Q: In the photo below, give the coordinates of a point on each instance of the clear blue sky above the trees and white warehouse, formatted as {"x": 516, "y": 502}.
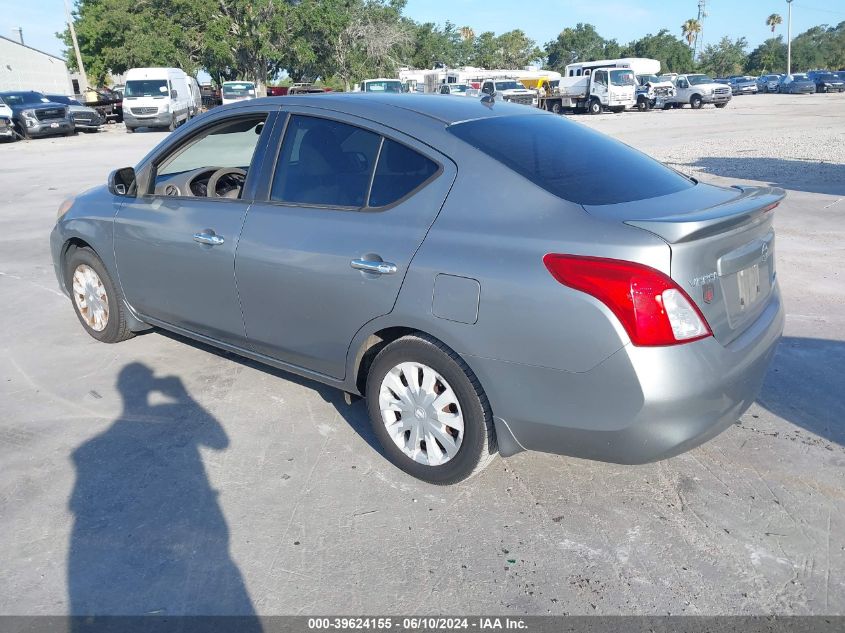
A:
{"x": 541, "y": 19}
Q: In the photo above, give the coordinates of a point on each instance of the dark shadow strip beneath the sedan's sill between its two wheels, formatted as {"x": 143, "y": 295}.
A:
{"x": 355, "y": 414}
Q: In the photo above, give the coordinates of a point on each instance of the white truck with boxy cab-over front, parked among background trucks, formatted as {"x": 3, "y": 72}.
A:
{"x": 611, "y": 88}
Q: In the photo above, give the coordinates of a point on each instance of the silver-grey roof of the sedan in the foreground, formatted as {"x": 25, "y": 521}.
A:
{"x": 394, "y": 107}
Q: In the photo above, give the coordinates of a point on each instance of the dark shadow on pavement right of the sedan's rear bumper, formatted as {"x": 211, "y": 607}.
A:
{"x": 804, "y": 386}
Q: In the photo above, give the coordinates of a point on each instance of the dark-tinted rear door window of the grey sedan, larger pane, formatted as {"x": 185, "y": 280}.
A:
{"x": 325, "y": 162}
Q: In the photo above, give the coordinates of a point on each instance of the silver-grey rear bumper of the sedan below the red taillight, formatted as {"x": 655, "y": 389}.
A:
{"x": 640, "y": 405}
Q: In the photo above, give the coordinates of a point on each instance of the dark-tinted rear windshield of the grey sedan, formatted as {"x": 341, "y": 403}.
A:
{"x": 570, "y": 160}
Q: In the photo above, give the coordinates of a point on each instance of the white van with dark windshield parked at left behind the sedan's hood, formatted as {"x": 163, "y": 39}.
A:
{"x": 156, "y": 97}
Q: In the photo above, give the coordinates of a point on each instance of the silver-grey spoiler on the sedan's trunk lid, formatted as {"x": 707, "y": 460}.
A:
{"x": 752, "y": 203}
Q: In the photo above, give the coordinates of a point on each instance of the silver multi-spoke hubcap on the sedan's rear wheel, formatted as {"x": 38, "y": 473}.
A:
{"x": 421, "y": 413}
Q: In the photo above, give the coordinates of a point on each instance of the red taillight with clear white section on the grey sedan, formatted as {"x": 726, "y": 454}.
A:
{"x": 653, "y": 309}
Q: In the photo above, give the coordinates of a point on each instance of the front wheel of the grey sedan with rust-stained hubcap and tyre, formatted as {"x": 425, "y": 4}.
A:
{"x": 96, "y": 299}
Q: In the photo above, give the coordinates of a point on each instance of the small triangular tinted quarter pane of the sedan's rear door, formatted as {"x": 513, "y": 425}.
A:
{"x": 400, "y": 171}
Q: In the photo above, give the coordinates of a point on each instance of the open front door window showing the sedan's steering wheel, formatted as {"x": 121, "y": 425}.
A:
{"x": 220, "y": 156}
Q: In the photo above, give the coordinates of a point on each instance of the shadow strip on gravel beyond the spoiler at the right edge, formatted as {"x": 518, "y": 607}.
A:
{"x": 798, "y": 175}
